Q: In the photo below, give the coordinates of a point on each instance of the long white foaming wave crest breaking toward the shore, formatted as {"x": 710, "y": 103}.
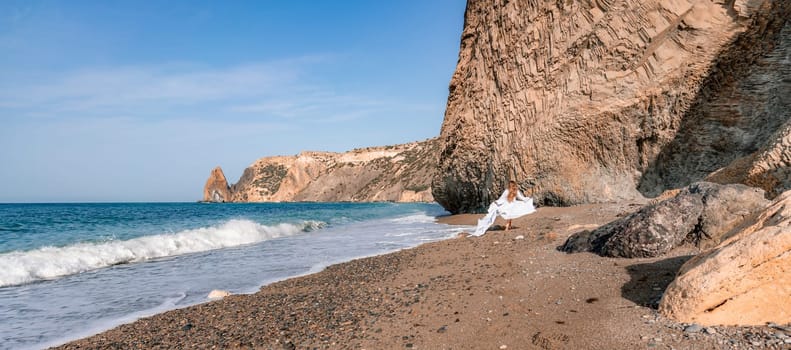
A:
{"x": 52, "y": 262}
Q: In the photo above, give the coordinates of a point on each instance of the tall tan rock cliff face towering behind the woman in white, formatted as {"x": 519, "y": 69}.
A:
{"x": 596, "y": 101}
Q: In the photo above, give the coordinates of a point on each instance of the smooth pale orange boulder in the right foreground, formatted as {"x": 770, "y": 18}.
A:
{"x": 745, "y": 280}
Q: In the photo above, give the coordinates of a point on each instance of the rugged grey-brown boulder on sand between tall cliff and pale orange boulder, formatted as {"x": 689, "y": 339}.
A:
{"x": 701, "y": 213}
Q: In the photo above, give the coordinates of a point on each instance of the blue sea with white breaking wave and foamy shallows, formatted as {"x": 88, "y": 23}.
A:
{"x": 72, "y": 270}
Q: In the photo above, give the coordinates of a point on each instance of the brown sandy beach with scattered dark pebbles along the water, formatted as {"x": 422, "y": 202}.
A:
{"x": 504, "y": 290}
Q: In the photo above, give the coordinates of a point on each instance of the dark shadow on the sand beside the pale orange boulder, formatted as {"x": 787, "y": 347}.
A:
{"x": 648, "y": 281}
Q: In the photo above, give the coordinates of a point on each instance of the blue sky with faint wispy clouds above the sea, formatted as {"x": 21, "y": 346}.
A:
{"x": 139, "y": 100}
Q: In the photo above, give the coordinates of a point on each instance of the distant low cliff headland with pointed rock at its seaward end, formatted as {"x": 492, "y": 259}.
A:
{"x": 400, "y": 173}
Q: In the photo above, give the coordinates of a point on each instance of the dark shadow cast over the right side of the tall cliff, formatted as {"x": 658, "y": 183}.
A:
{"x": 718, "y": 128}
